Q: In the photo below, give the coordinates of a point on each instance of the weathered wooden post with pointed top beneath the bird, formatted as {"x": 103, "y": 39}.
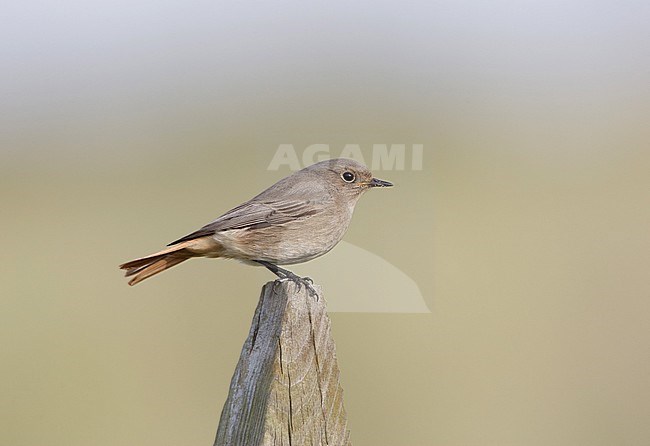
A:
{"x": 285, "y": 389}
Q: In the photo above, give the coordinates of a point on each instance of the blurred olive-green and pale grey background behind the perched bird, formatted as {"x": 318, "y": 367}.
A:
{"x": 126, "y": 125}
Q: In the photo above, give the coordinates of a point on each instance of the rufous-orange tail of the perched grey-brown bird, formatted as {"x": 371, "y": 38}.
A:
{"x": 148, "y": 266}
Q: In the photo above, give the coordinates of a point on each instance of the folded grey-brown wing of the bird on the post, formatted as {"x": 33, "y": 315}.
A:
{"x": 256, "y": 215}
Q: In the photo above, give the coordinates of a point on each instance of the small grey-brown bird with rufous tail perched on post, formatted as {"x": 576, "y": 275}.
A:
{"x": 299, "y": 218}
